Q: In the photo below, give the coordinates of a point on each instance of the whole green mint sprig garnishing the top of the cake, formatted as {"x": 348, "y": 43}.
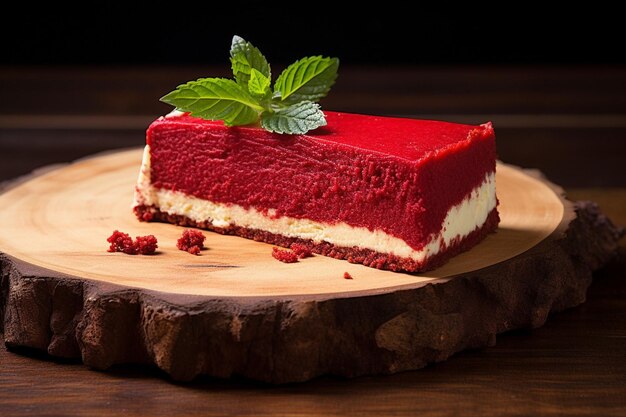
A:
{"x": 290, "y": 107}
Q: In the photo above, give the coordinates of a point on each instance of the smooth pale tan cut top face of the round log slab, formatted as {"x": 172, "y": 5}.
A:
{"x": 60, "y": 221}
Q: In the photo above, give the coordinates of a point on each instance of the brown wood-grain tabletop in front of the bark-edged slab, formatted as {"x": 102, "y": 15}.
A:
{"x": 571, "y": 366}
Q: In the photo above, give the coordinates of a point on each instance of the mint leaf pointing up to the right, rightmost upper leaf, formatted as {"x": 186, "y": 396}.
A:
{"x": 309, "y": 78}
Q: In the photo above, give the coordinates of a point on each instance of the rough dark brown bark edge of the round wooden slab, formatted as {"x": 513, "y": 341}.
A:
{"x": 297, "y": 338}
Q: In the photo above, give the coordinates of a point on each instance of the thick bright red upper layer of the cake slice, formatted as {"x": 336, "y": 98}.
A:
{"x": 396, "y": 175}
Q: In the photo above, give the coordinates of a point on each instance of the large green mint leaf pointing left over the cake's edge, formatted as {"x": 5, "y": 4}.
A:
{"x": 215, "y": 99}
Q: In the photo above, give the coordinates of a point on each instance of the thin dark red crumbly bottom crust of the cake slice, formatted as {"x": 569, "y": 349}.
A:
{"x": 353, "y": 254}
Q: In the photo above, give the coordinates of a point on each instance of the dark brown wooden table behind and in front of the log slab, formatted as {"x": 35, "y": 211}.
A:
{"x": 574, "y": 365}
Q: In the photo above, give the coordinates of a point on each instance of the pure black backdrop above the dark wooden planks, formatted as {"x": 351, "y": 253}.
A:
{"x": 183, "y": 33}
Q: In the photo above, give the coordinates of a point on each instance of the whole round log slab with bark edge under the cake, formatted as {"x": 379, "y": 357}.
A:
{"x": 235, "y": 310}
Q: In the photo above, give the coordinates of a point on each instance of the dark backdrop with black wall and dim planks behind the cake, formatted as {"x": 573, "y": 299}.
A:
{"x": 78, "y": 80}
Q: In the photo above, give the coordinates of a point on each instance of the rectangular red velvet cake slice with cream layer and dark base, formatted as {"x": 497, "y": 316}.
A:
{"x": 390, "y": 193}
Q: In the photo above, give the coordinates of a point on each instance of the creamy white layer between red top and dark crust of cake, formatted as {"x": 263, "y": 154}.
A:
{"x": 460, "y": 221}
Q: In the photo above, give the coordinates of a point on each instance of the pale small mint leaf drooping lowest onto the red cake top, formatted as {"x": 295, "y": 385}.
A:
{"x": 298, "y": 118}
